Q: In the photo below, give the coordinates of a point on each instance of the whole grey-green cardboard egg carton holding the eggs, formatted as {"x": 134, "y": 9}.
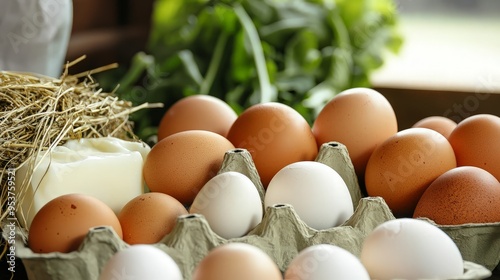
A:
{"x": 281, "y": 234}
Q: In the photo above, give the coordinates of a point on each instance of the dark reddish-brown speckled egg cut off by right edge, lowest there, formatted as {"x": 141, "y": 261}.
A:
{"x": 465, "y": 194}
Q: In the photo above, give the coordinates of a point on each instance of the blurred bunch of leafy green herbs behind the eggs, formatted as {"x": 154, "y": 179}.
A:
{"x": 298, "y": 52}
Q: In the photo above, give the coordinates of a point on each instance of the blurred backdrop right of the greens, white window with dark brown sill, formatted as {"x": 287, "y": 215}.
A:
{"x": 449, "y": 60}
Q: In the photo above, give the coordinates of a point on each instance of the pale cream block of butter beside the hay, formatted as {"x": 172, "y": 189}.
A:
{"x": 108, "y": 168}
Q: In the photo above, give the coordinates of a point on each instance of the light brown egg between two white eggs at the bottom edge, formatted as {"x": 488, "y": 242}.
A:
{"x": 240, "y": 261}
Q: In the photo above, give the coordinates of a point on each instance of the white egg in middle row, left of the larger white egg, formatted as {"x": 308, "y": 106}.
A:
{"x": 230, "y": 203}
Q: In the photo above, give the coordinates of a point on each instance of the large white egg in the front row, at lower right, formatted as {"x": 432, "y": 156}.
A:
{"x": 410, "y": 249}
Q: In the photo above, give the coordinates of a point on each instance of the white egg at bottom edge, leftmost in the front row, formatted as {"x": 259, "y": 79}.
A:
{"x": 142, "y": 261}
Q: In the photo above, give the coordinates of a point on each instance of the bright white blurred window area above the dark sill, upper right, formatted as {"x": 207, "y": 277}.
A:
{"x": 449, "y": 44}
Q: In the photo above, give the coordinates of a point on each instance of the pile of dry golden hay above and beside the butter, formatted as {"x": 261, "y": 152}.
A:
{"x": 38, "y": 113}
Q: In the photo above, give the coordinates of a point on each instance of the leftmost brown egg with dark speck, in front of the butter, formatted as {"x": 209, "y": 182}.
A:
{"x": 62, "y": 224}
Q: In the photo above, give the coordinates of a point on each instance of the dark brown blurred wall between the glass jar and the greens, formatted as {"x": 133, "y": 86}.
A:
{"x": 108, "y": 31}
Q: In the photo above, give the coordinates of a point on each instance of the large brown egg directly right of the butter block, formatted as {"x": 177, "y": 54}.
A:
{"x": 180, "y": 164}
